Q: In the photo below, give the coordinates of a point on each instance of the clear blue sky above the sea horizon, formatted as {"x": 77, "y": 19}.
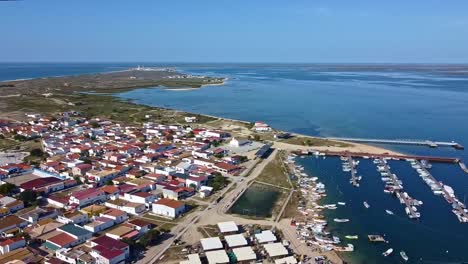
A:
{"x": 234, "y": 31}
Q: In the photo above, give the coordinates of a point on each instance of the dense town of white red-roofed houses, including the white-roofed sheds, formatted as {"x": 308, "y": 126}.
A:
{"x": 95, "y": 191}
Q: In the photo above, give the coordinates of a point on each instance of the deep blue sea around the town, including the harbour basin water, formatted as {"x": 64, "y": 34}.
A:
{"x": 383, "y": 102}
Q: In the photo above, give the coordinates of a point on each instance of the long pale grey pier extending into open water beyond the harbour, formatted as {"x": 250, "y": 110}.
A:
{"x": 414, "y": 142}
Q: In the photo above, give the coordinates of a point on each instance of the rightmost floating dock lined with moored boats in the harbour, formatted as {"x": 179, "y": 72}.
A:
{"x": 438, "y": 188}
